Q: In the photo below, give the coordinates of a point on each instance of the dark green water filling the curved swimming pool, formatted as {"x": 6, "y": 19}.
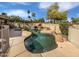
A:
{"x": 40, "y": 42}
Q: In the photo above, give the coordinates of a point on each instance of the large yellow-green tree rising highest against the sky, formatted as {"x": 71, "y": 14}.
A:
{"x": 54, "y": 14}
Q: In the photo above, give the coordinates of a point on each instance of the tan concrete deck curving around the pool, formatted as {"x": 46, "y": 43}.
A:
{"x": 17, "y": 48}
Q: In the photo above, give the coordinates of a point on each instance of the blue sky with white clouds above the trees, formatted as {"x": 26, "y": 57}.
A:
{"x": 40, "y": 8}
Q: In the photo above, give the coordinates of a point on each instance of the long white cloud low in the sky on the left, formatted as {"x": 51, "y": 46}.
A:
{"x": 18, "y": 12}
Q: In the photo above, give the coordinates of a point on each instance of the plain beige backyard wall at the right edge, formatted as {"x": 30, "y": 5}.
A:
{"x": 74, "y": 35}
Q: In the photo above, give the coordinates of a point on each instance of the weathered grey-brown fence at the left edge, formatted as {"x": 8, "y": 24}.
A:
{"x": 4, "y": 38}
